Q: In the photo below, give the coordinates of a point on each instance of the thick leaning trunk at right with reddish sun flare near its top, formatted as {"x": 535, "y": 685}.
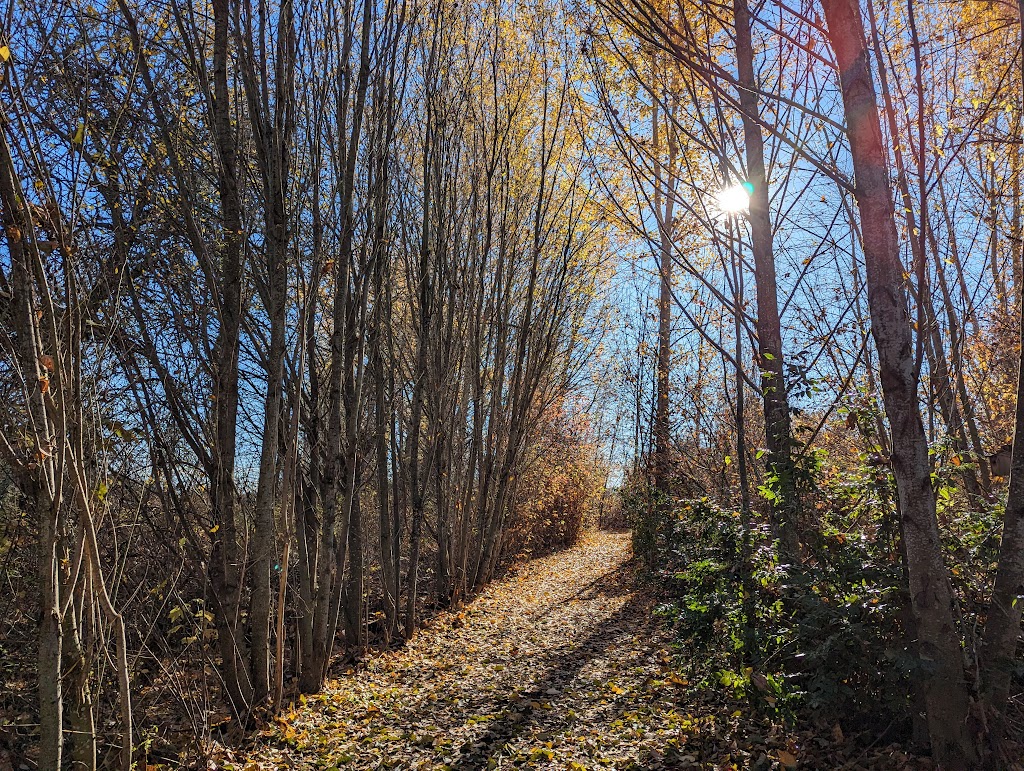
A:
{"x": 946, "y": 690}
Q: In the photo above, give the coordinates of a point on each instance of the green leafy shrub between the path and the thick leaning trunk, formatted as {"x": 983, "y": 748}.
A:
{"x": 825, "y": 636}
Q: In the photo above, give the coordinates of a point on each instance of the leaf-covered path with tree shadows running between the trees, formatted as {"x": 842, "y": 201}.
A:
{"x": 562, "y": 665}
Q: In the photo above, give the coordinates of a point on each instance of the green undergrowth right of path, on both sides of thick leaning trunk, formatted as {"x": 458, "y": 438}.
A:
{"x": 826, "y": 639}
